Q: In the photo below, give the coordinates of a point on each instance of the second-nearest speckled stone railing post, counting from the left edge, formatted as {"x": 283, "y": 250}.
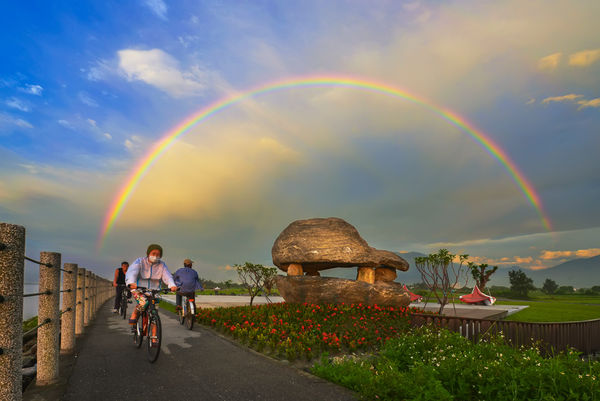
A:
{"x": 47, "y": 342}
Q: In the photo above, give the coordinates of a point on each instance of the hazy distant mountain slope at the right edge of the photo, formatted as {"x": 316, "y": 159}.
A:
{"x": 580, "y": 273}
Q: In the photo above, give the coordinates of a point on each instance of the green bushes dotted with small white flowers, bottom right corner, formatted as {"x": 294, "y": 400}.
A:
{"x": 437, "y": 365}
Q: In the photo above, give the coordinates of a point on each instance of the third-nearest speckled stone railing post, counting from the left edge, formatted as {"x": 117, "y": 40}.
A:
{"x": 67, "y": 320}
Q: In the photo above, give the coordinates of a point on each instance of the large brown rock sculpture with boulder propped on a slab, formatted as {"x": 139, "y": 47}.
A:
{"x": 307, "y": 247}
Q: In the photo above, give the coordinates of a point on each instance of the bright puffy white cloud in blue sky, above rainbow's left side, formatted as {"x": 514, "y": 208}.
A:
{"x": 161, "y": 70}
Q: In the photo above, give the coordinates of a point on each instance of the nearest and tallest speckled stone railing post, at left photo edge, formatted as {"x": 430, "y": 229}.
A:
{"x": 12, "y": 252}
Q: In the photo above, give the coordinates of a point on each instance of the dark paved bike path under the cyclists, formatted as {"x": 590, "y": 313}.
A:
{"x": 193, "y": 365}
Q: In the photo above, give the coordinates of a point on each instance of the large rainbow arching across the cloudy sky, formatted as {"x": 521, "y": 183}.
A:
{"x": 163, "y": 144}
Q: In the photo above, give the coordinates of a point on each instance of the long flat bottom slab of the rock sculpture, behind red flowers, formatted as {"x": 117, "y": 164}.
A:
{"x": 331, "y": 290}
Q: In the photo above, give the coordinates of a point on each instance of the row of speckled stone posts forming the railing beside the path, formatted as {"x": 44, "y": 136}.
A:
{"x": 83, "y": 294}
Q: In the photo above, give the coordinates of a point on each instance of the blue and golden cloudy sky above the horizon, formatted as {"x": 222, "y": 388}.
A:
{"x": 88, "y": 88}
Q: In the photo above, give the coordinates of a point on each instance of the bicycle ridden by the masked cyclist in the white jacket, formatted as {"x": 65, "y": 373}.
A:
{"x": 145, "y": 324}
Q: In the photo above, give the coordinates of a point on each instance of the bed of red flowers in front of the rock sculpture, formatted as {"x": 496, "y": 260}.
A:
{"x": 297, "y": 330}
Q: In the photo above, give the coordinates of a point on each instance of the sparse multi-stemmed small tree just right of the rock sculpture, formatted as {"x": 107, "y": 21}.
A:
{"x": 440, "y": 274}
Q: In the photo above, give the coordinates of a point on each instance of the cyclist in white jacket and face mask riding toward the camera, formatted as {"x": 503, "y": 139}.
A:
{"x": 147, "y": 272}
